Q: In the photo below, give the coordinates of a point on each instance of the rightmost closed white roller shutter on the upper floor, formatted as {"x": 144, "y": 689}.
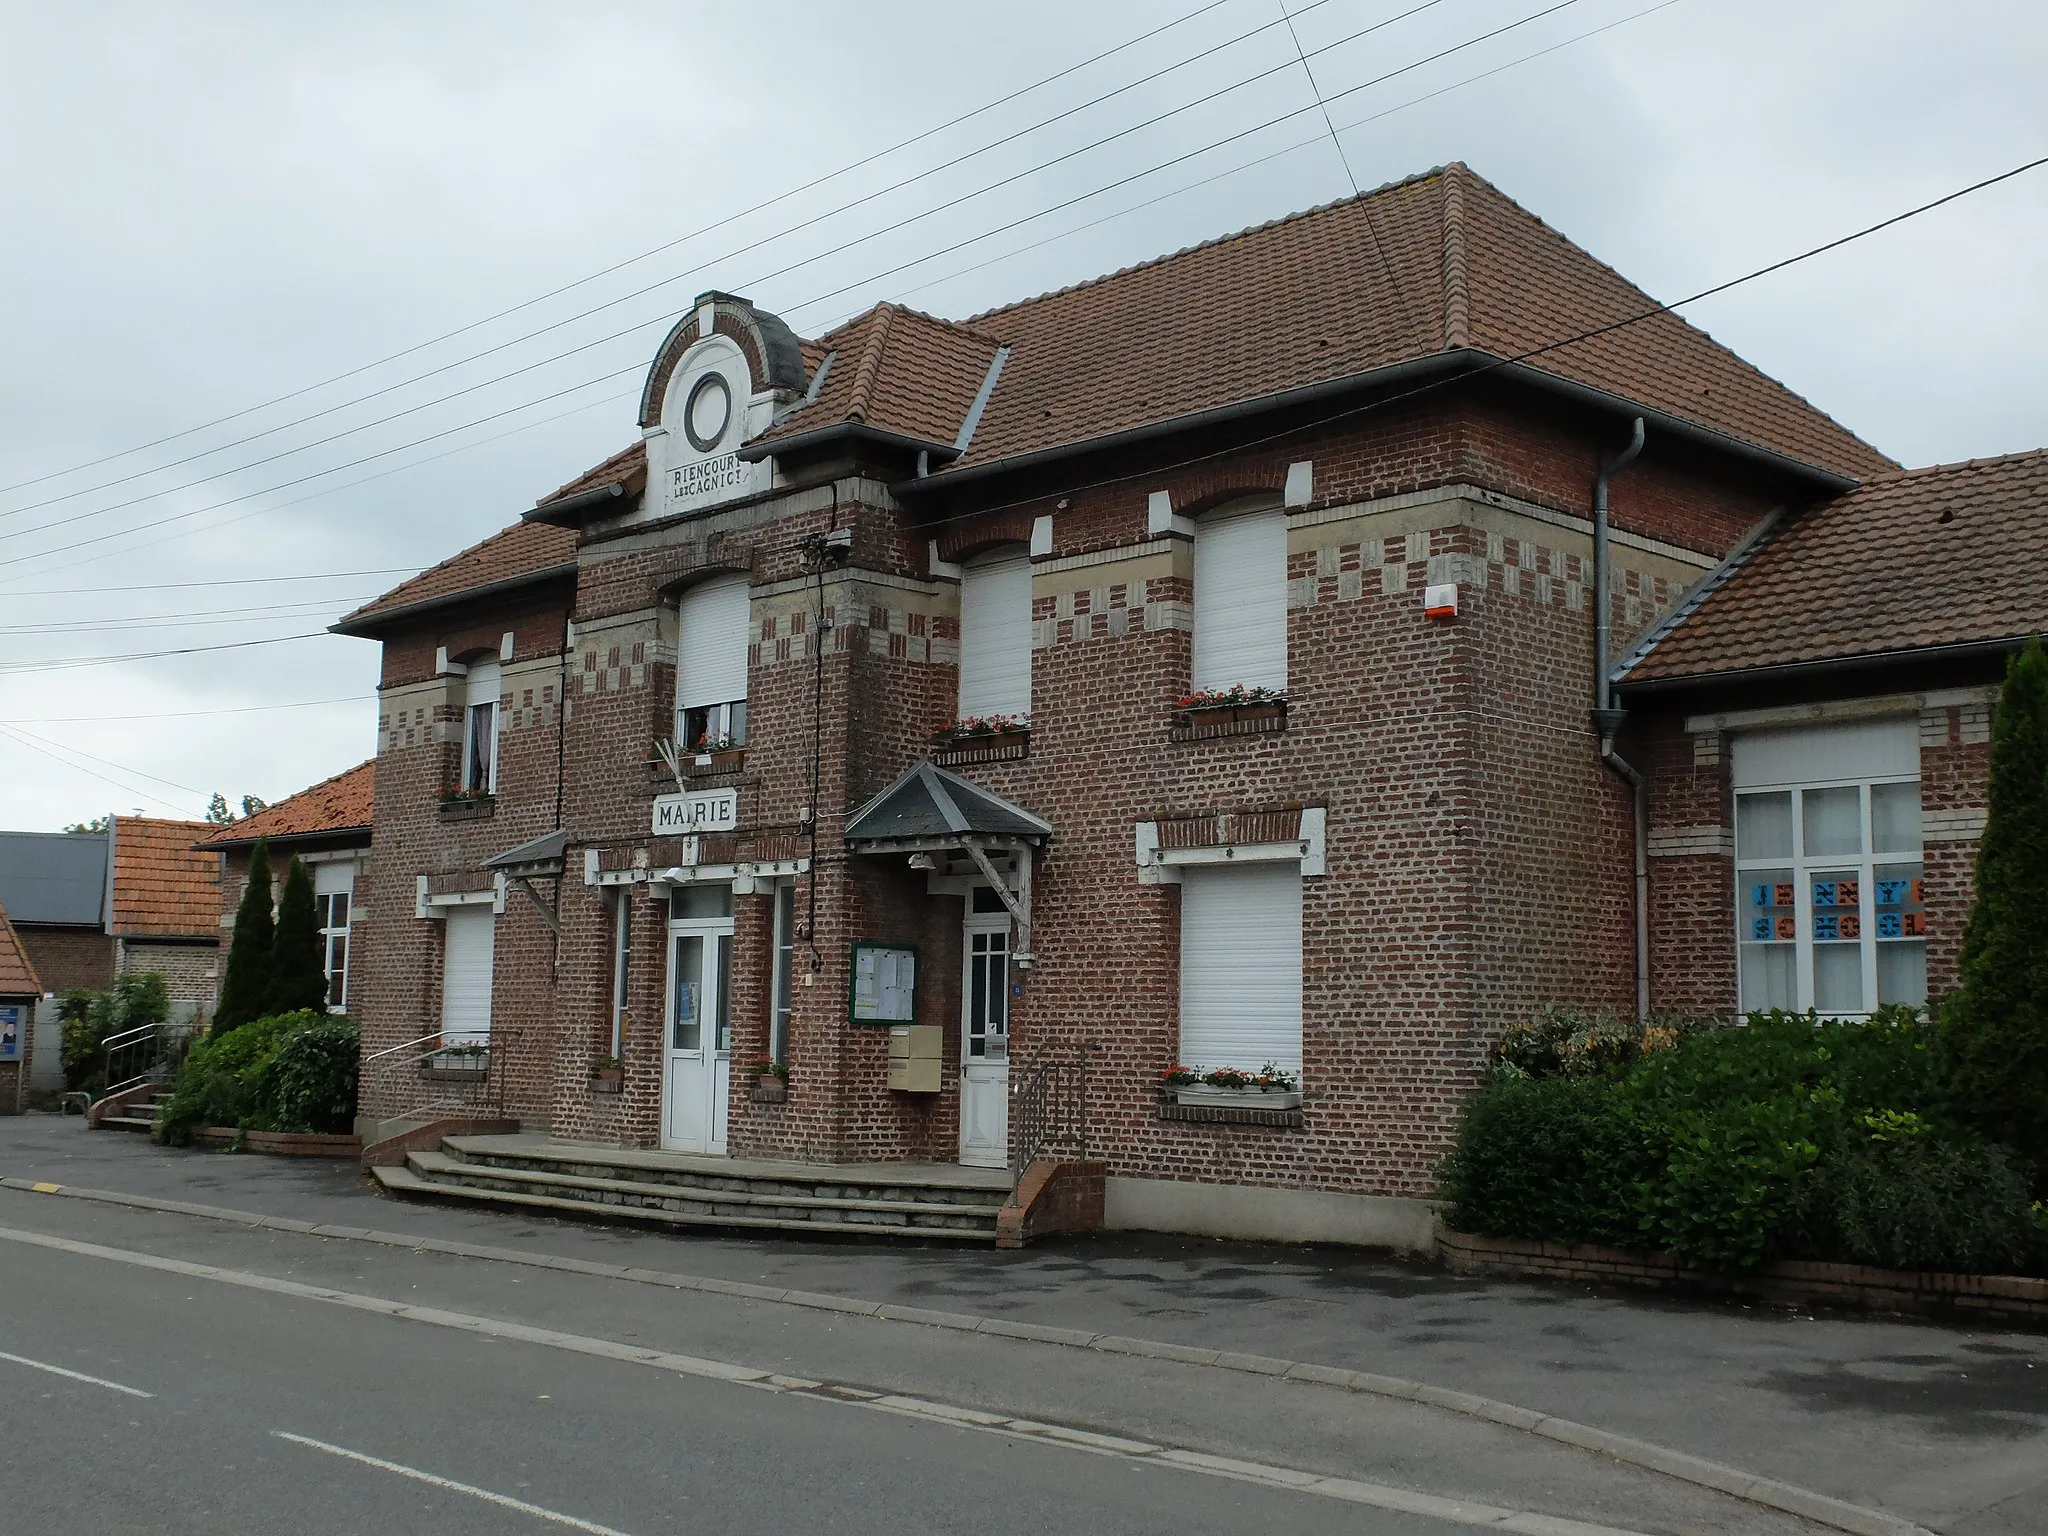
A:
{"x": 1240, "y": 601}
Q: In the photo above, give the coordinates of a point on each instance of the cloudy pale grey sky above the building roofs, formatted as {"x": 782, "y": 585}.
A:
{"x": 298, "y": 300}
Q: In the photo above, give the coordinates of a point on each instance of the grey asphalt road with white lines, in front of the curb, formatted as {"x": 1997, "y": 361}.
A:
{"x": 306, "y": 1412}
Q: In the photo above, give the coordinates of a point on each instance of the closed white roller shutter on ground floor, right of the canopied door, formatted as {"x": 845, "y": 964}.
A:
{"x": 1240, "y": 968}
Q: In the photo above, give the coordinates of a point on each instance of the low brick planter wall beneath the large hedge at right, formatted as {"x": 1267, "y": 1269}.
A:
{"x": 1795, "y": 1283}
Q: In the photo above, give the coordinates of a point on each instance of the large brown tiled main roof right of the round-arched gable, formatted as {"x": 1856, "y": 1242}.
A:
{"x": 1416, "y": 269}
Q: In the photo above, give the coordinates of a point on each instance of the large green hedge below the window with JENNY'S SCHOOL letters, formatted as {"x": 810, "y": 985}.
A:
{"x": 1727, "y": 1148}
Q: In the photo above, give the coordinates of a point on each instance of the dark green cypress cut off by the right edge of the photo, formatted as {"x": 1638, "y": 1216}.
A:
{"x": 1996, "y": 1031}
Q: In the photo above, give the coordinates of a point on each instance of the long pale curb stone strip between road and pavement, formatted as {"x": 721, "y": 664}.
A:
{"x": 1820, "y": 1508}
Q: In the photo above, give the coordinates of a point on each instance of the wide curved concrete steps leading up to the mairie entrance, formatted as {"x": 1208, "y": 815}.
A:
{"x": 681, "y": 1191}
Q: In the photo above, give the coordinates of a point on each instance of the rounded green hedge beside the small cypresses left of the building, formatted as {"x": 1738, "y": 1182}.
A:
{"x": 288, "y": 1072}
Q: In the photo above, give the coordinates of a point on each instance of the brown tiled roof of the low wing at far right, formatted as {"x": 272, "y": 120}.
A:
{"x": 1940, "y": 556}
